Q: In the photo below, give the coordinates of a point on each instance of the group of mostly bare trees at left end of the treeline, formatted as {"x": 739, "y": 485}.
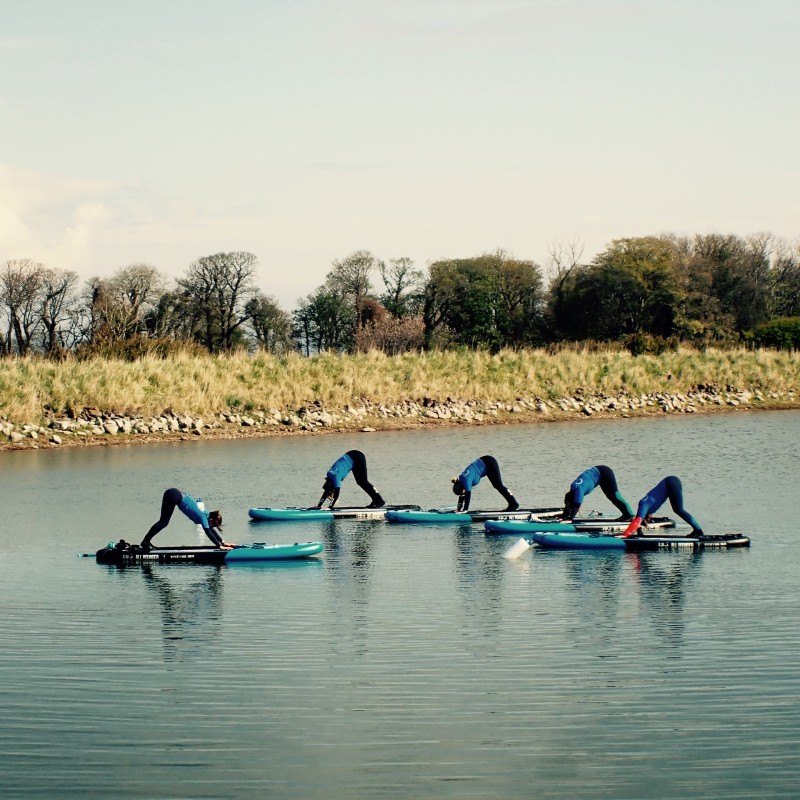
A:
{"x": 215, "y": 306}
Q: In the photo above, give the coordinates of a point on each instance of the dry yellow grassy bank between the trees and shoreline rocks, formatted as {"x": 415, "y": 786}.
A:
{"x": 211, "y": 384}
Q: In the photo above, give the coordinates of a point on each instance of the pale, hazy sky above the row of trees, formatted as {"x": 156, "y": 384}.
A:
{"x": 160, "y": 131}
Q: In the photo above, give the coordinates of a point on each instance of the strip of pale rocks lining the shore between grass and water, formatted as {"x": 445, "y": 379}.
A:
{"x": 93, "y": 426}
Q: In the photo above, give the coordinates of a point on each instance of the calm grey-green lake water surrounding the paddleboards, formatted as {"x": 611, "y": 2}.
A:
{"x": 407, "y": 662}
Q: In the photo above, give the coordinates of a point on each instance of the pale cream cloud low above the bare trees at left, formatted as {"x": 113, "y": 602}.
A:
{"x": 93, "y": 227}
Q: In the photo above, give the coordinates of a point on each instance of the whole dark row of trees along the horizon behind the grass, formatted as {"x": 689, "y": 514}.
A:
{"x": 647, "y": 292}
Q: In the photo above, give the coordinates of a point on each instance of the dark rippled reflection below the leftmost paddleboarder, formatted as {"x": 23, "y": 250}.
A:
{"x": 190, "y": 606}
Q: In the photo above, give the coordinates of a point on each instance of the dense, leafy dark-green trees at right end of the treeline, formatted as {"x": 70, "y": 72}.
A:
{"x": 707, "y": 288}
